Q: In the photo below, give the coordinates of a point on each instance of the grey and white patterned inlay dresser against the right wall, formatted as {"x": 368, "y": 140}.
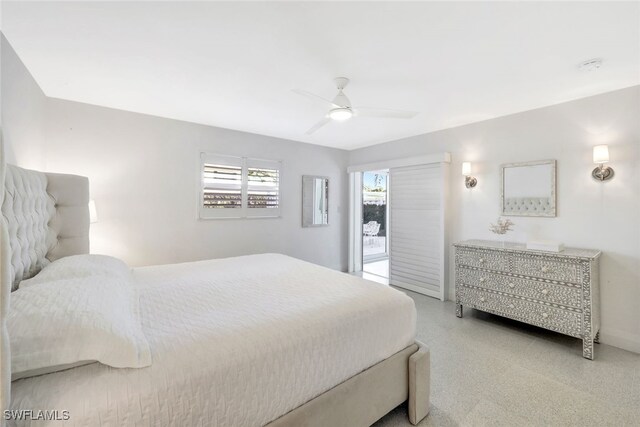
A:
{"x": 557, "y": 291}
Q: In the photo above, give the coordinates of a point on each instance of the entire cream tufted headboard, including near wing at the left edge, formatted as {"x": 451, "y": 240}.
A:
{"x": 44, "y": 217}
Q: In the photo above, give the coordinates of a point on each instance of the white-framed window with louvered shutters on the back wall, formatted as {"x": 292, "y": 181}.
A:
{"x": 239, "y": 187}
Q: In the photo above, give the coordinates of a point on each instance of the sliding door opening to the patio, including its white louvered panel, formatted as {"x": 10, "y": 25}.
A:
{"x": 397, "y": 218}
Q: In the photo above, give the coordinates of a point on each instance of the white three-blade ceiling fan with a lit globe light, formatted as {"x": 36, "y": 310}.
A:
{"x": 341, "y": 109}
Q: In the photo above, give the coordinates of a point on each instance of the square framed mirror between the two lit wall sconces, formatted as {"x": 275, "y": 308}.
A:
{"x": 528, "y": 189}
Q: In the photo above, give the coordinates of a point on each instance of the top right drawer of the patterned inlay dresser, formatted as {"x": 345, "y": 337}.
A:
{"x": 546, "y": 268}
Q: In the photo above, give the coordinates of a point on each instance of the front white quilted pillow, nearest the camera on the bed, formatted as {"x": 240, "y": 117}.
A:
{"x": 65, "y": 323}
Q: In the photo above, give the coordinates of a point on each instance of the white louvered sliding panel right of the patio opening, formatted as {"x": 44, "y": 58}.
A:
{"x": 416, "y": 234}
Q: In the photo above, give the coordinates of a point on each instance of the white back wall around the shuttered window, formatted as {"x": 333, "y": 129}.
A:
{"x": 144, "y": 174}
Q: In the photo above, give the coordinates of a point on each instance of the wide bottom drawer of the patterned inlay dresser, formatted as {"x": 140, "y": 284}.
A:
{"x": 556, "y": 319}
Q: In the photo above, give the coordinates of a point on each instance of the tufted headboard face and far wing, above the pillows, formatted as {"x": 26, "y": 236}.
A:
{"x": 46, "y": 217}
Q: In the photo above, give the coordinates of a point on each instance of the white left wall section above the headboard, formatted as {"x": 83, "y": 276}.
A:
{"x": 23, "y": 111}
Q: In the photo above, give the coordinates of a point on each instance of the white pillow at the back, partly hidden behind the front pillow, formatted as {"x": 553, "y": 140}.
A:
{"x": 77, "y": 266}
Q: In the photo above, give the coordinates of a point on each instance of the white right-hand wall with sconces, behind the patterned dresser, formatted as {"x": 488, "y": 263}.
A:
{"x": 591, "y": 214}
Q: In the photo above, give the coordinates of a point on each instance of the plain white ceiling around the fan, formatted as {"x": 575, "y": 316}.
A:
{"x": 234, "y": 65}
